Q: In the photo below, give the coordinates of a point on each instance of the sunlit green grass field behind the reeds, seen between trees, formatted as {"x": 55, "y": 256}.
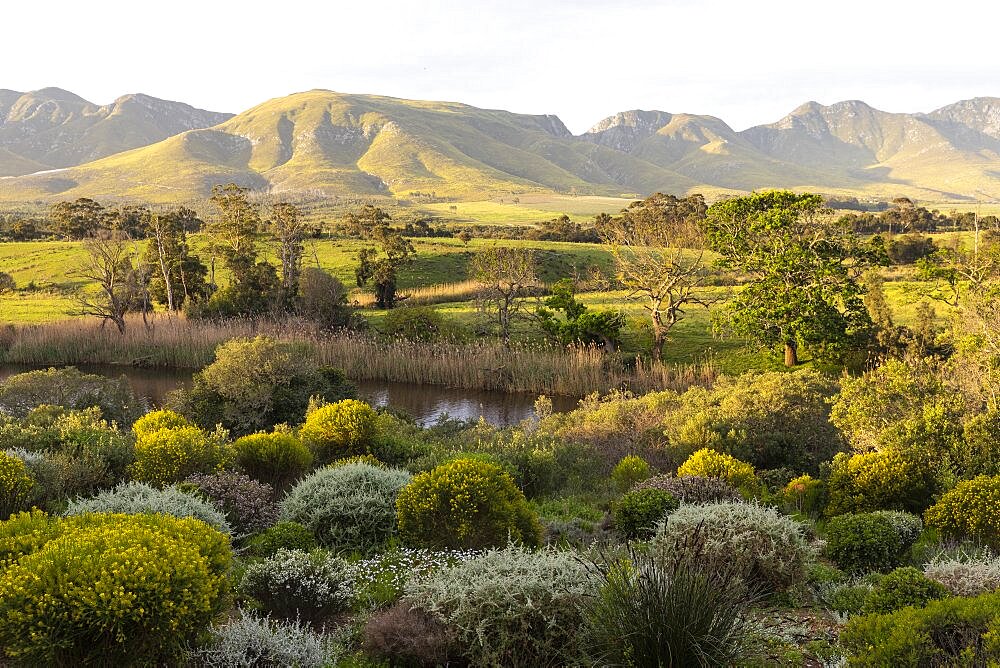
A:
{"x": 44, "y": 273}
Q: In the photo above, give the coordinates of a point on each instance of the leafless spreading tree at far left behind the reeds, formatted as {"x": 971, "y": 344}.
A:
{"x": 109, "y": 264}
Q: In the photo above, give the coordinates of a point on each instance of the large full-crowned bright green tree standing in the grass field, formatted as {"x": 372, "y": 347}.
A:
{"x": 804, "y": 267}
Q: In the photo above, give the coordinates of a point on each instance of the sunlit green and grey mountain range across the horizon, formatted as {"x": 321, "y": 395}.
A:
{"x": 55, "y": 145}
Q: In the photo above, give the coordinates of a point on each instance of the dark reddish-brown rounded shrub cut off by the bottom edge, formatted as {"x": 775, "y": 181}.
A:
{"x": 408, "y": 636}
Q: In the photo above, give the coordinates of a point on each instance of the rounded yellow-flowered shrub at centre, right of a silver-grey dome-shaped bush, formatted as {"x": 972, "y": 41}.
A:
{"x": 466, "y": 503}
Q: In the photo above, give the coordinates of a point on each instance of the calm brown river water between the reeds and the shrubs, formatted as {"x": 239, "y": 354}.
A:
{"x": 425, "y": 403}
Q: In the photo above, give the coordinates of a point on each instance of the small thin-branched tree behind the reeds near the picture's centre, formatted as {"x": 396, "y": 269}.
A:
{"x": 506, "y": 275}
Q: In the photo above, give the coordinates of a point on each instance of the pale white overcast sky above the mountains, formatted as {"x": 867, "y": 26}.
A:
{"x": 745, "y": 62}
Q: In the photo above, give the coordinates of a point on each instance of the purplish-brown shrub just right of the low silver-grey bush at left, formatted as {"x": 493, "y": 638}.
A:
{"x": 249, "y": 505}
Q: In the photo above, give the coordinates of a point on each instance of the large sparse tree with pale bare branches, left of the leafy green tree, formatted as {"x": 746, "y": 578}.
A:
{"x": 659, "y": 253}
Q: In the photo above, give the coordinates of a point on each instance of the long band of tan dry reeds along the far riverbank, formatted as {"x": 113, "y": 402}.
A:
{"x": 483, "y": 365}
